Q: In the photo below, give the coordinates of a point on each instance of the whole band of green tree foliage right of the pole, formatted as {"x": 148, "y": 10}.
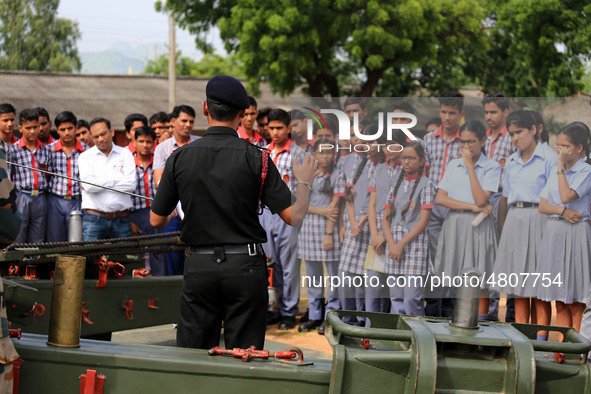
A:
{"x": 394, "y": 48}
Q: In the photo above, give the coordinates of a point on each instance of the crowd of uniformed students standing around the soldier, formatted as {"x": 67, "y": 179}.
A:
{"x": 410, "y": 204}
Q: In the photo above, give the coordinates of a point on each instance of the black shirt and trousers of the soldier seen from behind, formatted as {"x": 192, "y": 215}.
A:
{"x": 217, "y": 178}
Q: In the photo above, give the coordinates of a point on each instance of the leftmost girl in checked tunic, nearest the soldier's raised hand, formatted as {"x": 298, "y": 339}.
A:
{"x": 318, "y": 241}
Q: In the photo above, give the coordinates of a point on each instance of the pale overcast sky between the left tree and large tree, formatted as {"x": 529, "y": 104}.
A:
{"x": 106, "y": 22}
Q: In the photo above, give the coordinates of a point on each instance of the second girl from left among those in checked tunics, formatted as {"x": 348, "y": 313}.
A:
{"x": 357, "y": 236}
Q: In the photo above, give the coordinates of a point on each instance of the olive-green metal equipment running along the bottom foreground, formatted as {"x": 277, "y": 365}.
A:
{"x": 397, "y": 354}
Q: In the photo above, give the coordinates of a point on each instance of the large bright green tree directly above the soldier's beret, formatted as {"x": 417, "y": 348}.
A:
{"x": 320, "y": 43}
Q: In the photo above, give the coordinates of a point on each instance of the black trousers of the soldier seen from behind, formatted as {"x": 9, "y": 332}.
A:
{"x": 232, "y": 290}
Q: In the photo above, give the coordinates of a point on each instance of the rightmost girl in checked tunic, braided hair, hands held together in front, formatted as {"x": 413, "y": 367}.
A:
{"x": 406, "y": 216}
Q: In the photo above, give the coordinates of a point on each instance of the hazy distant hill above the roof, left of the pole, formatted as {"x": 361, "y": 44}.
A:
{"x": 118, "y": 59}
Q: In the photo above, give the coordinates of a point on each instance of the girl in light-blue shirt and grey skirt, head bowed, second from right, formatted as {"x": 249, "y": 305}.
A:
{"x": 526, "y": 173}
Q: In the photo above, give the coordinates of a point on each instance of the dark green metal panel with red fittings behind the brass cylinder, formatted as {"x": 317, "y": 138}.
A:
{"x": 122, "y": 304}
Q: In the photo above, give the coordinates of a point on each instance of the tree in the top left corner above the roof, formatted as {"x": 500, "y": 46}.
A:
{"x": 33, "y": 38}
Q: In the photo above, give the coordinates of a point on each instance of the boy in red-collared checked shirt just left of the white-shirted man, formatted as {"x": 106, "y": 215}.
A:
{"x": 63, "y": 195}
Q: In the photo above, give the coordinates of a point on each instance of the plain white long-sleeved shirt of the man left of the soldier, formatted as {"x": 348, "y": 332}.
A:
{"x": 116, "y": 171}
